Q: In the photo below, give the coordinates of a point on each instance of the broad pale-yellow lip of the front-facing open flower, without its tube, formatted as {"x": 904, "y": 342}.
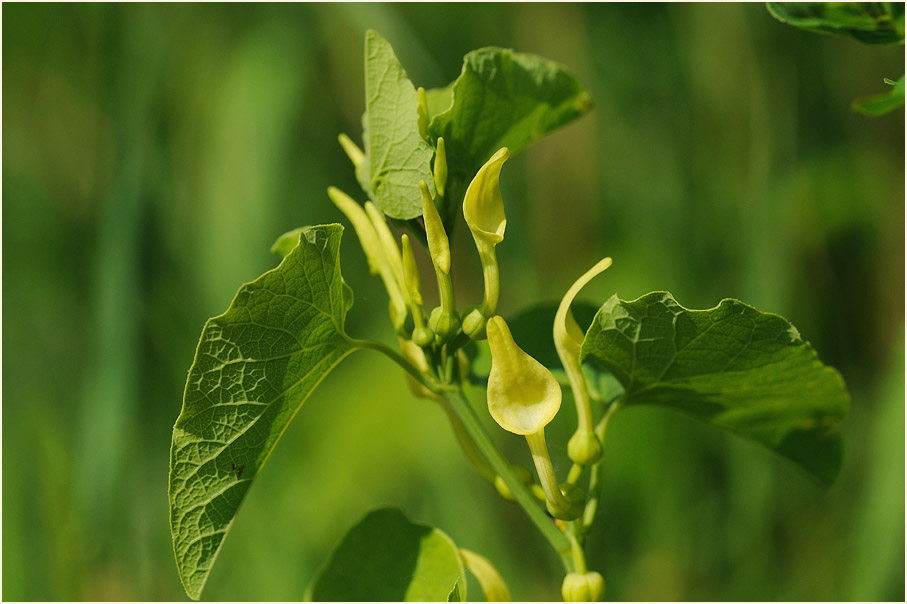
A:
{"x": 523, "y": 396}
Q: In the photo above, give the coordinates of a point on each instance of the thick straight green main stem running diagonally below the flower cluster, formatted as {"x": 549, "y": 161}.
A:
{"x": 521, "y": 494}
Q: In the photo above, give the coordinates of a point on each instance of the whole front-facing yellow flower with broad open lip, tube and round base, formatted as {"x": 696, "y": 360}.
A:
{"x": 523, "y": 397}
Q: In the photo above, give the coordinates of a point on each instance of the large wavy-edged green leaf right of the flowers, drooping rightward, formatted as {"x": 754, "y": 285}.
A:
{"x": 732, "y": 366}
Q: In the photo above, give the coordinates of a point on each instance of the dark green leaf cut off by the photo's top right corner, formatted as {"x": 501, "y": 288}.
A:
{"x": 869, "y": 22}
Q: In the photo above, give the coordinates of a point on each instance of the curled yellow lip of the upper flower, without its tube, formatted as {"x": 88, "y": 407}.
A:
{"x": 483, "y": 207}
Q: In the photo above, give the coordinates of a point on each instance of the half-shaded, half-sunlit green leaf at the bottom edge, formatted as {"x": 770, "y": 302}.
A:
{"x": 386, "y": 557}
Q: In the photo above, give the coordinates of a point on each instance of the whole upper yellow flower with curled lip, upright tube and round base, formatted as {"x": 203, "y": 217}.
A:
{"x": 483, "y": 209}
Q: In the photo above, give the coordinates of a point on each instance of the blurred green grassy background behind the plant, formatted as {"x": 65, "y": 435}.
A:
{"x": 152, "y": 153}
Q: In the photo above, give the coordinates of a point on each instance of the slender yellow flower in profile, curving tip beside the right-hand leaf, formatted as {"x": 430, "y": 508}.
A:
{"x": 583, "y": 447}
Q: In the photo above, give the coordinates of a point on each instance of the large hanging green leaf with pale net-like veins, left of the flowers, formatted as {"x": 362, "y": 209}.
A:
{"x": 254, "y": 367}
